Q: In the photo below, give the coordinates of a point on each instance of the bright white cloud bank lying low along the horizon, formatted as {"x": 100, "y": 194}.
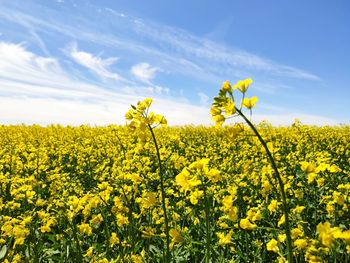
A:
{"x": 35, "y": 89}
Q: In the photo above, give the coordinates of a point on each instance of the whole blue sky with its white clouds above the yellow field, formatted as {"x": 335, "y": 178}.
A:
{"x": 85, "y": 62}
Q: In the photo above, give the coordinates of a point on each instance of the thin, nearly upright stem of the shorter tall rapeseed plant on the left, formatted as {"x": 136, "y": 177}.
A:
{"x": 167, "y": 255}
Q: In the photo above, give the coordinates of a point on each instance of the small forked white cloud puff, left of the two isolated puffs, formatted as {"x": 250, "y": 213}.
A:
{"x": 94, "y": 63}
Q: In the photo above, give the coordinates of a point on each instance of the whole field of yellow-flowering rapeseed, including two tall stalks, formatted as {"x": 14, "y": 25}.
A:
{"x": 145, "y": 192}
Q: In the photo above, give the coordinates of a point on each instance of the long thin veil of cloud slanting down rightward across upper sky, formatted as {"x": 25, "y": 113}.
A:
{"x": 178, "y": 50}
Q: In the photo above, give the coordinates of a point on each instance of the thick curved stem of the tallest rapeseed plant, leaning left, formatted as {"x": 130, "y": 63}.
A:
{"x": 280, "y": 182}
